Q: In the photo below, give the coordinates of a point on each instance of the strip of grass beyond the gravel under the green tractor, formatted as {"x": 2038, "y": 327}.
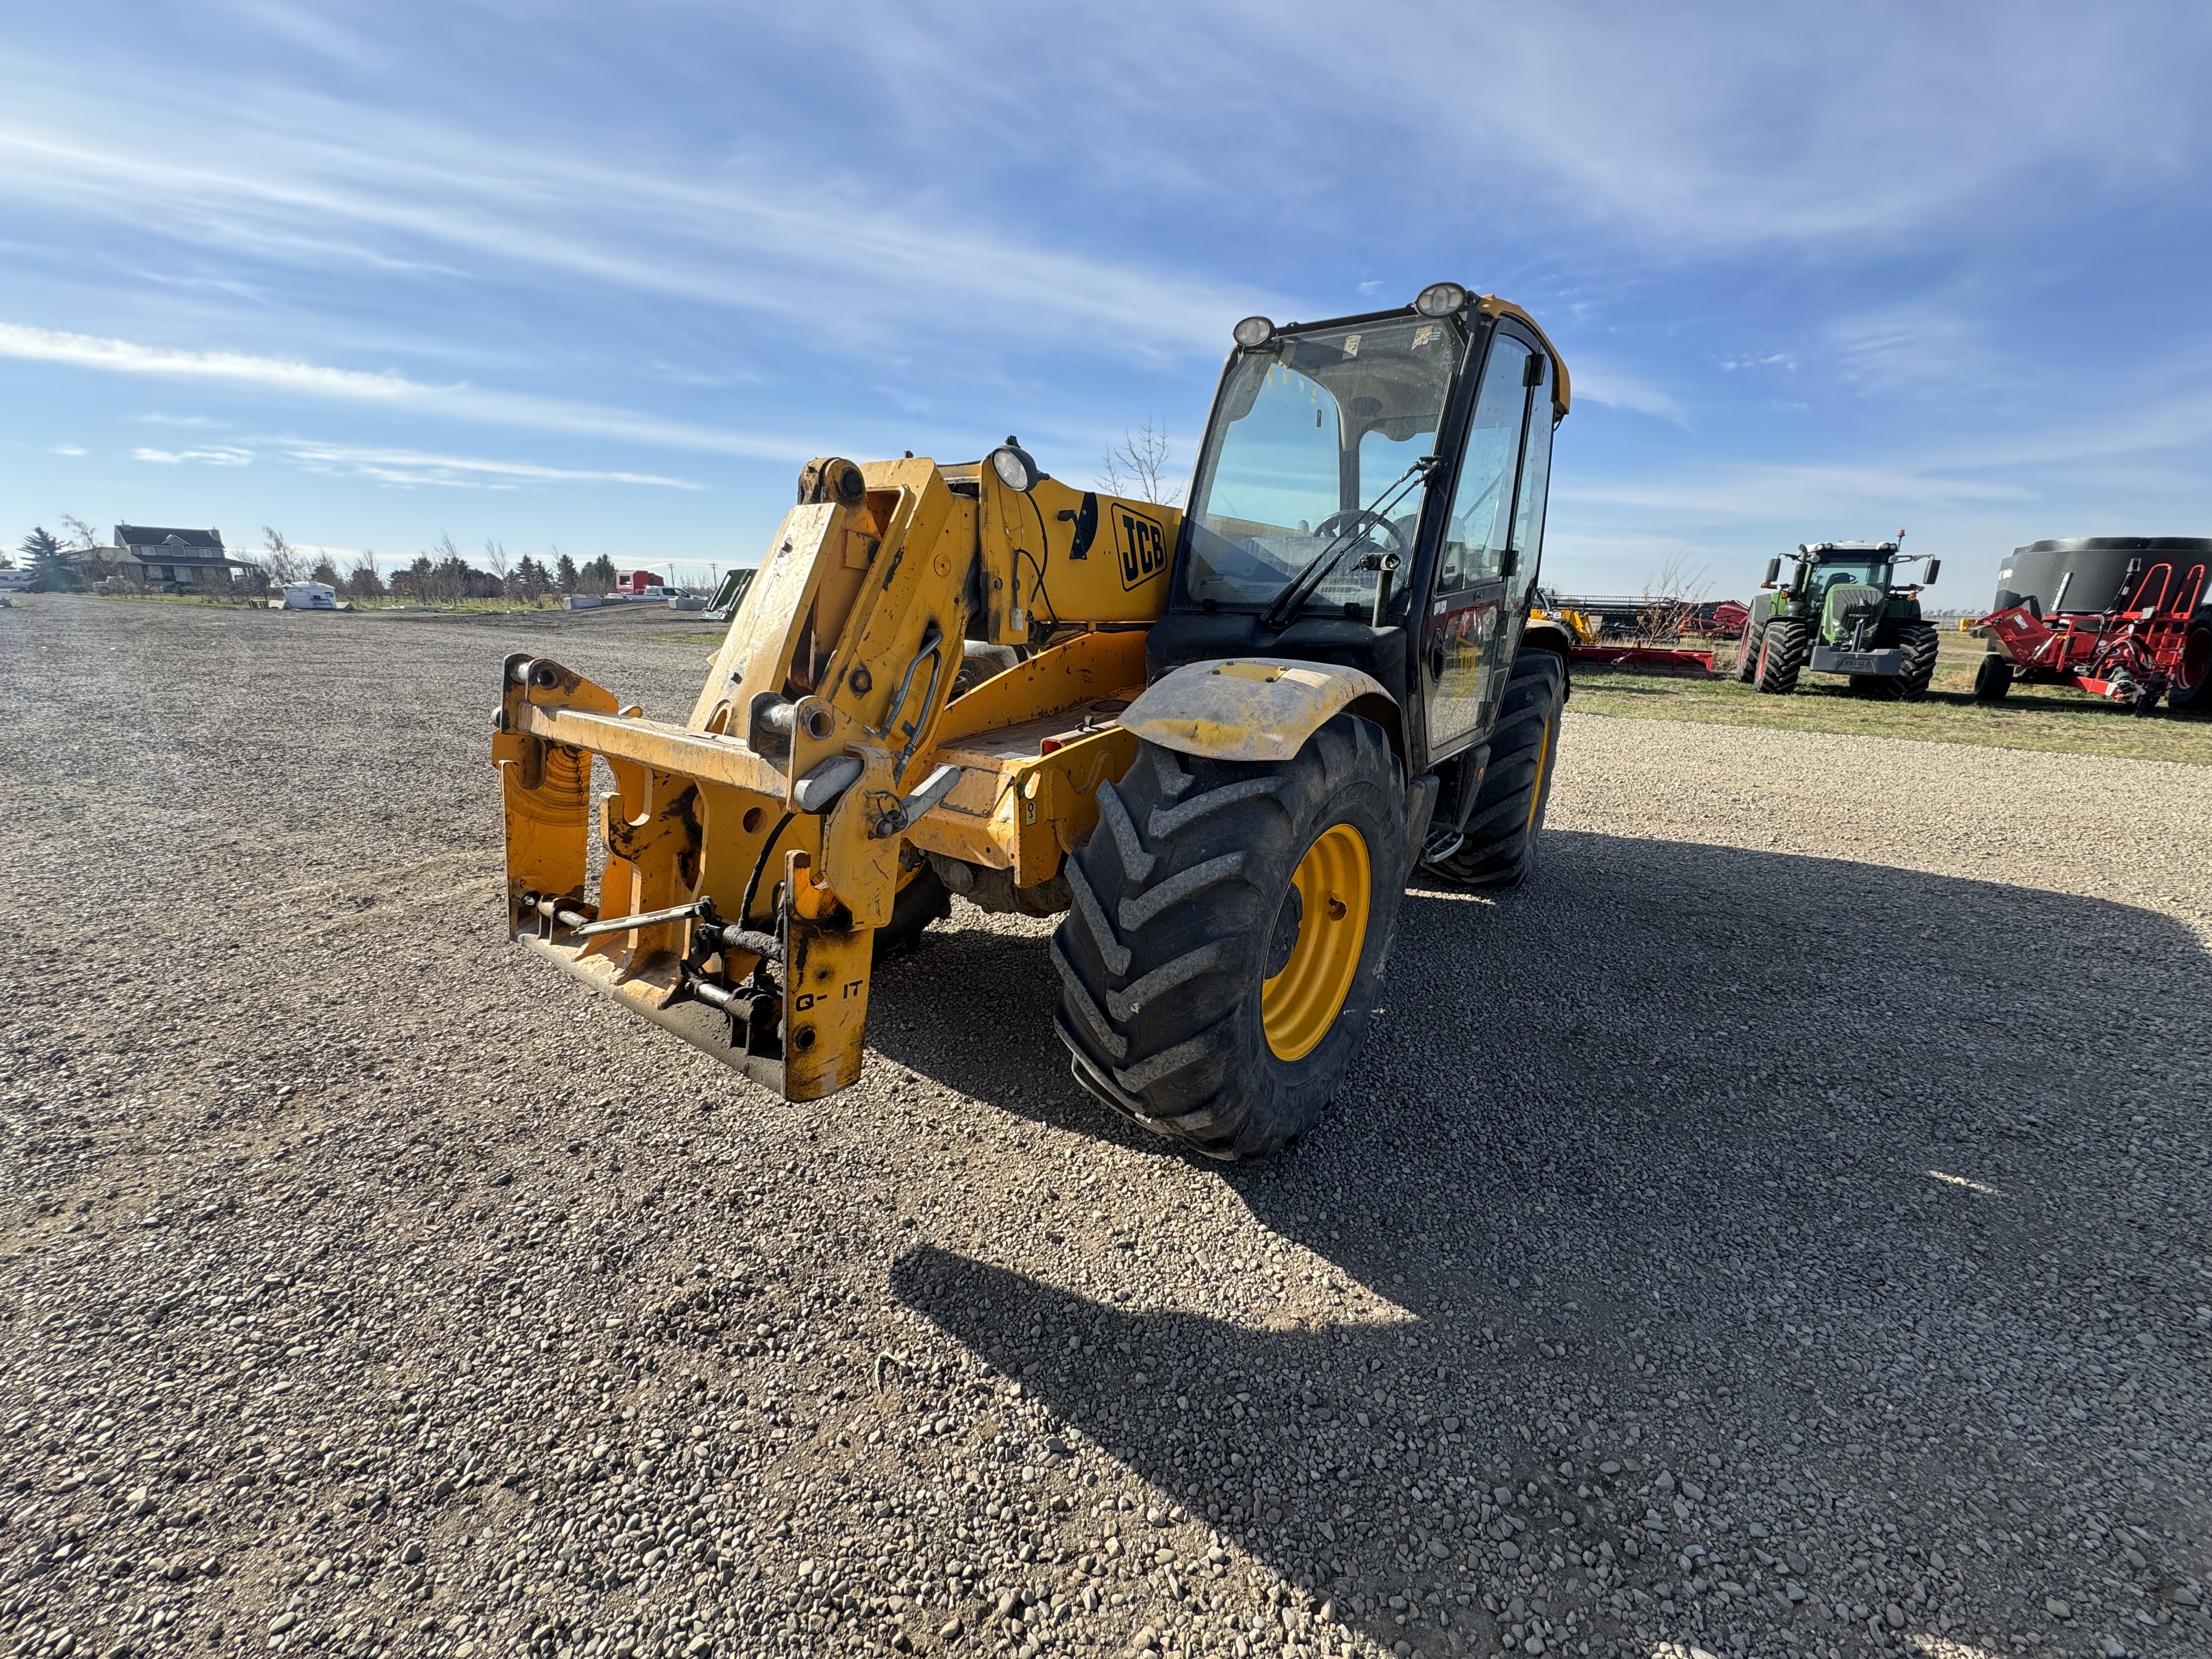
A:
{"x": 2043, "y": 718}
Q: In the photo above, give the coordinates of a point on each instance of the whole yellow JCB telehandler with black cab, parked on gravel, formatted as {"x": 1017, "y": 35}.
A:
{"x": 1218, "y": 740}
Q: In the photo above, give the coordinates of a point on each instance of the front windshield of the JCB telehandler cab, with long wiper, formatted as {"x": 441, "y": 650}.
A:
{"x": 1315, "y": 430}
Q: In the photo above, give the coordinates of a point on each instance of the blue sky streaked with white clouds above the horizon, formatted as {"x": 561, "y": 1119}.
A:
{"x": 605, "y": 275}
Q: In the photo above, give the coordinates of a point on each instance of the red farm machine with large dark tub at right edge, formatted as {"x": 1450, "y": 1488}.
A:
{"x": 2120, "y": 616}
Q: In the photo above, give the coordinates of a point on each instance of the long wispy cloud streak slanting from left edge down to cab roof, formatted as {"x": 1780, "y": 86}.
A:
{"x": 311, "y": 180}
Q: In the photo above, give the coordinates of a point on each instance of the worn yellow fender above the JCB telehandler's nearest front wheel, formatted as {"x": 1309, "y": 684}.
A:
{"x": 1251, "y": 709}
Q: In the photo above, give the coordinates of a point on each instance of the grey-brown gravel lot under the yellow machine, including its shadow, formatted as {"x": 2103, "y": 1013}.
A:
{"x": 1777, "y": 1231}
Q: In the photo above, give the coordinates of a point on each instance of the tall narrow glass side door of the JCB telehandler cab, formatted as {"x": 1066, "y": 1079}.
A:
{"x": 1477, "y": 598}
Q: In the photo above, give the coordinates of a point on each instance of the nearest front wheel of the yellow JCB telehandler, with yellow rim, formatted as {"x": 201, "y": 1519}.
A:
{"x": 1229, "y": 935}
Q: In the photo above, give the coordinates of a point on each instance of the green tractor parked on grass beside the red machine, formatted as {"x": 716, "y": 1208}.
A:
{"x": 1841, "y": 614}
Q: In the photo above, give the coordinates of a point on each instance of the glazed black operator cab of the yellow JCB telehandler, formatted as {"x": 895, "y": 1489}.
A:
{"x": 1370, "y": 492}
